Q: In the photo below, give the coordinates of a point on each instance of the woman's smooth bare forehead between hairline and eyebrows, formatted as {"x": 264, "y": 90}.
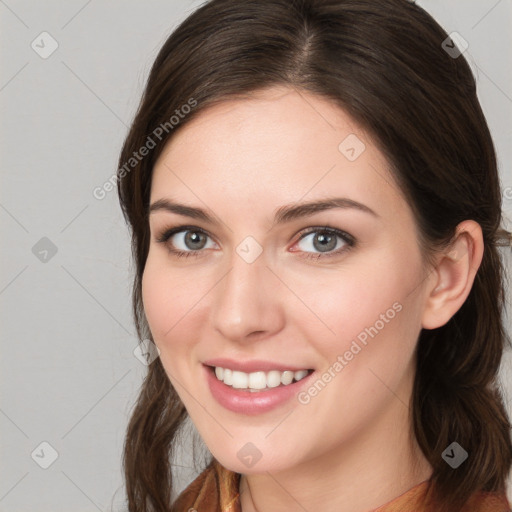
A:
{"x": 277, "y": 146}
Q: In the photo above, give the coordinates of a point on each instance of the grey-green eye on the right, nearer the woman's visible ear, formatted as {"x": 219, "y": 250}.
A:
{"x": 326, "y": 241}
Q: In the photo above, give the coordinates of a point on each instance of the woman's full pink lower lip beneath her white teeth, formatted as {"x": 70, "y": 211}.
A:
{"x": 248, "y": 402}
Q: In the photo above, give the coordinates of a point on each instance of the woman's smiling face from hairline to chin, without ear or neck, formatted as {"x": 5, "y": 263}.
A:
{"x": 266, "y": 287}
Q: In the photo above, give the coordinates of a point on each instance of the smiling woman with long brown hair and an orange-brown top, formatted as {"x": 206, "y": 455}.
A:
{"x": 314, "y": 201}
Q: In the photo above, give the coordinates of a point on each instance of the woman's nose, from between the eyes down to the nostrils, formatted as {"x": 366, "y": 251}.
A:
{"x": 247, "y": 303}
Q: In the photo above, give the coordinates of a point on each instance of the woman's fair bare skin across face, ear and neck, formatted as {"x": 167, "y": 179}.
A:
{"x": 349, "y": 448}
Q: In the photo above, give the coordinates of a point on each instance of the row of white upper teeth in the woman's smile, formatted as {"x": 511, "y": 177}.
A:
{"x": 257, "y": 381}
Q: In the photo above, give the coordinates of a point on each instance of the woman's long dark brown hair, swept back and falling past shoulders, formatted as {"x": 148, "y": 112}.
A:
{"x": 387, "y": 64}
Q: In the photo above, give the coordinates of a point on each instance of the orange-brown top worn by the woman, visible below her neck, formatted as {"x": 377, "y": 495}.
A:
{"x": 216, "y": 489}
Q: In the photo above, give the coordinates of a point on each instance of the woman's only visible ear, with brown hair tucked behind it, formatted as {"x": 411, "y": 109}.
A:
{"x": 451, "y": 280}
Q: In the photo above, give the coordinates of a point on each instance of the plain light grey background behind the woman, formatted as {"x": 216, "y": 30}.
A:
{"x": 68, "y": 372}
